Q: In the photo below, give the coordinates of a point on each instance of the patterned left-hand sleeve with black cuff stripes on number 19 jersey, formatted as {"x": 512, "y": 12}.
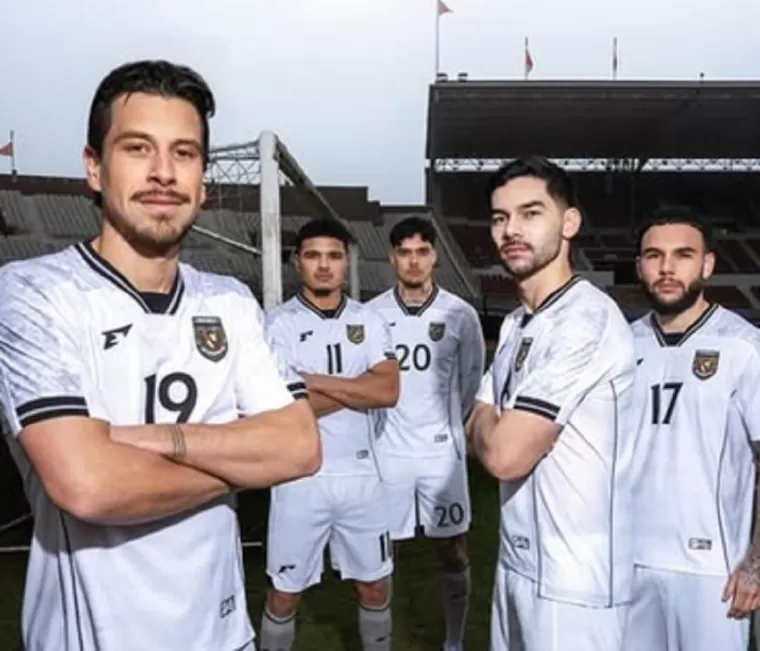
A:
{"x": 41, "y": 371}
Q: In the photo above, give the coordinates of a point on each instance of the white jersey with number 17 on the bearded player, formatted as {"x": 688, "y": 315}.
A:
{"x": 698, "y": 404}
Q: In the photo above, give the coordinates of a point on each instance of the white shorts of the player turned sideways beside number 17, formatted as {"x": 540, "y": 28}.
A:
{"x": 522, "y": 621}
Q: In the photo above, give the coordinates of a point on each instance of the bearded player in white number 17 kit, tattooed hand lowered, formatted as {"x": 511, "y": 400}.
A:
{"x": 697, "y": 576}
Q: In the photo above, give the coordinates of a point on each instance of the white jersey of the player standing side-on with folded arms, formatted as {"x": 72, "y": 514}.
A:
{"x": 567, "y": 526}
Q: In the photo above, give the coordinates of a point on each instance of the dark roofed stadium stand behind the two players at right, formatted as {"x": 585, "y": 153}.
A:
{"x": 630, "y": 147}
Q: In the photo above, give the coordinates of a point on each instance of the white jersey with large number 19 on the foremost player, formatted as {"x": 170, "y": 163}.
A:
{"x": 76, "y": 338}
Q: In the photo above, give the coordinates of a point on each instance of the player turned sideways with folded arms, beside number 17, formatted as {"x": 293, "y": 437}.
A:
{"x": 553, "y": 423}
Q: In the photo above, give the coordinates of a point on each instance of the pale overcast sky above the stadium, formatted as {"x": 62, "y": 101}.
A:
{"x": 343, "y": 82}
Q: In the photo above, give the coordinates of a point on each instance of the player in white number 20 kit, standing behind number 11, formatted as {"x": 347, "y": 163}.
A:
{"x": 421, "y": 450}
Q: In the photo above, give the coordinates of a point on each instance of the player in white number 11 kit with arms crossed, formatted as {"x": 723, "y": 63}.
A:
{"x": 343, "y": 350}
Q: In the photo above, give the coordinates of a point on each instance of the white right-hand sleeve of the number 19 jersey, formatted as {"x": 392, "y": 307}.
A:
{"x": 261, "y": 381}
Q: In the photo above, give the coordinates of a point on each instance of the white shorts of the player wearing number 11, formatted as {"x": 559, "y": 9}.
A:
{"x": 349, "y": 513}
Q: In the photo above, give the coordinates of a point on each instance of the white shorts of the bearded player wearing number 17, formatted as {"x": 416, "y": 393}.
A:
{"x": 676, "y": 611}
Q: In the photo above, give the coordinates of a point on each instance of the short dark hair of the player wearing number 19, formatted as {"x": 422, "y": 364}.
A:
{"x": 153, "y": 78}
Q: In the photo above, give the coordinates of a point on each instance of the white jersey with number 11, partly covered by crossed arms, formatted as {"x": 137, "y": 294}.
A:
{"x": 345, "y": 342}
